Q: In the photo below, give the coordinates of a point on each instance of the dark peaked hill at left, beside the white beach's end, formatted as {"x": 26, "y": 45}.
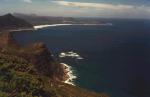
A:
{"x": 10, "y": 22}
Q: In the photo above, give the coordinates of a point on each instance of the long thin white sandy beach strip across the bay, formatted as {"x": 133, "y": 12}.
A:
{"x": 53, "y": 25}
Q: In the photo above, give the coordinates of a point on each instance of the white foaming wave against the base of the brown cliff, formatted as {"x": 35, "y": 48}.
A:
{"x": 70, "y": 74}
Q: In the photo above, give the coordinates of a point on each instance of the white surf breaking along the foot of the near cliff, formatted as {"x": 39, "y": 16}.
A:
{"x": 69, "y": 73}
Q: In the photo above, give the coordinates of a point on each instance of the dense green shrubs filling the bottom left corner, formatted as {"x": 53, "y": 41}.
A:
{"x": 15, "y": 81}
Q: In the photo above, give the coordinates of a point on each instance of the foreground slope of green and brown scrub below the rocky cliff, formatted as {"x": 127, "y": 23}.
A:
{"x": 20, "y": 79}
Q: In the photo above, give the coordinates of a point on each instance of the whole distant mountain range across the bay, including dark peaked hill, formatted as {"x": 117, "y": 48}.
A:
{"x": 18, "y": 21}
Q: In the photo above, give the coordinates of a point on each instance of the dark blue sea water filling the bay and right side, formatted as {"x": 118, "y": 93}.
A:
{"x": 117, "y": 58}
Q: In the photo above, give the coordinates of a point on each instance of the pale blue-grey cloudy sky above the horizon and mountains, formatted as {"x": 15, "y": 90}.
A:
{"x": 79, "y": 8}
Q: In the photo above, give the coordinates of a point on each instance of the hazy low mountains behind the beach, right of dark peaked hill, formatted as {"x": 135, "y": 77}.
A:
{"x": 42, "y": 20}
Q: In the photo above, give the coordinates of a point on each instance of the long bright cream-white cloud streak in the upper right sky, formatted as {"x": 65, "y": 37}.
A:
{"x": 102, "y": 6}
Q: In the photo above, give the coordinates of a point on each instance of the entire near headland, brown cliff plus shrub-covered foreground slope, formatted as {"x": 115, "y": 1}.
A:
{"x": 32, "y": 71}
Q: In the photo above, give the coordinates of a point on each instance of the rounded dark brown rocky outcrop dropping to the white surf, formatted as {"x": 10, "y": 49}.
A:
{"x": 39, "y": 55}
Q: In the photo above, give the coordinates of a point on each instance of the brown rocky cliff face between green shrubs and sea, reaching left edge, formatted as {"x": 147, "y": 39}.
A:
{"x": 36, "y": 54}
